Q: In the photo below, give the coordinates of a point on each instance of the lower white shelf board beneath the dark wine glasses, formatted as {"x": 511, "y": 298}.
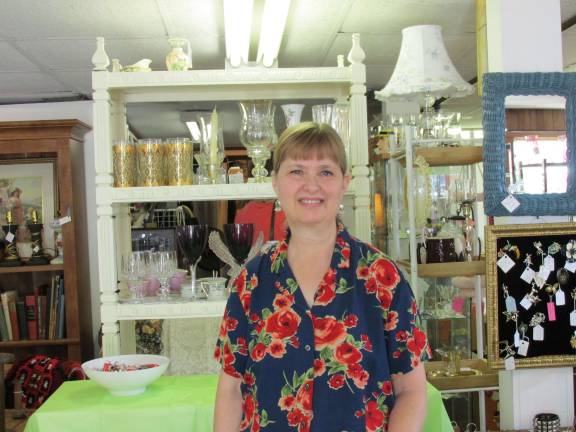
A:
{"x": 192, "y": 309}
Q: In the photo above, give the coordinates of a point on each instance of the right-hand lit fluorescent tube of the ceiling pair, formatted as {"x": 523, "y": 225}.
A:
{"x": 271, "y": 30}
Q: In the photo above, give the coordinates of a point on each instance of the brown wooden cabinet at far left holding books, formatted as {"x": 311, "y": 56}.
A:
{"x": 58, "y": 141}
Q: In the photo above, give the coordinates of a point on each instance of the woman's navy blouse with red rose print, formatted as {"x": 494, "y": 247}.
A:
{"x": 328, "y": 367}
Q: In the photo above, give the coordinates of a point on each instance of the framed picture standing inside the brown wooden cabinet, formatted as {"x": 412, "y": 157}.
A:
{"x": 28, "y": 185}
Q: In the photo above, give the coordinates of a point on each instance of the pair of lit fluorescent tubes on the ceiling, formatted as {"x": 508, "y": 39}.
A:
{"x": 238, "y": 26}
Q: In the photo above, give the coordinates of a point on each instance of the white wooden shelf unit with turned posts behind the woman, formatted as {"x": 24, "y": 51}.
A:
{"x": 113, "y": 90}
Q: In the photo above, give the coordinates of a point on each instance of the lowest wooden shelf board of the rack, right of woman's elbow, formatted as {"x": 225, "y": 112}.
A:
{"x": 488, "y": 378}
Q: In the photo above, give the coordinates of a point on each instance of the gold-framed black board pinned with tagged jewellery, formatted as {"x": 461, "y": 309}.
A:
{"x": 531, "y": 295}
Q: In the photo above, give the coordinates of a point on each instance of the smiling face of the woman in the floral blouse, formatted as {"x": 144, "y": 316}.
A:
{"x": 310, "y": 191}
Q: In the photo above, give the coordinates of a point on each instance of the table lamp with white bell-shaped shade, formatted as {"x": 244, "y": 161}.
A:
{"x": 424, "y": 72}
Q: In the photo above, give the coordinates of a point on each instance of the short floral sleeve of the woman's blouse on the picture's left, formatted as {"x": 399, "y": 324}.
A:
{"x": 231, "y": 348}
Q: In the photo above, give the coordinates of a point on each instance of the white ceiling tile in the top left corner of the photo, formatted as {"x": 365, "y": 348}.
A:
{"x": 73, "y": 18}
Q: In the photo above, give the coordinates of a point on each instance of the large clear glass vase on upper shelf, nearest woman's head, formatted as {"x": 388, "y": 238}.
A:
{"x": 257, "y": 134}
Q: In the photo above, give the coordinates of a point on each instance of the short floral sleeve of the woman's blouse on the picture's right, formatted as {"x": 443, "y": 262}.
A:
{"x": 407, "y": 343}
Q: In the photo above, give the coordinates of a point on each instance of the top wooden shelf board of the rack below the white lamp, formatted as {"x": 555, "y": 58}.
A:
{"x": 443, "y": 156}
